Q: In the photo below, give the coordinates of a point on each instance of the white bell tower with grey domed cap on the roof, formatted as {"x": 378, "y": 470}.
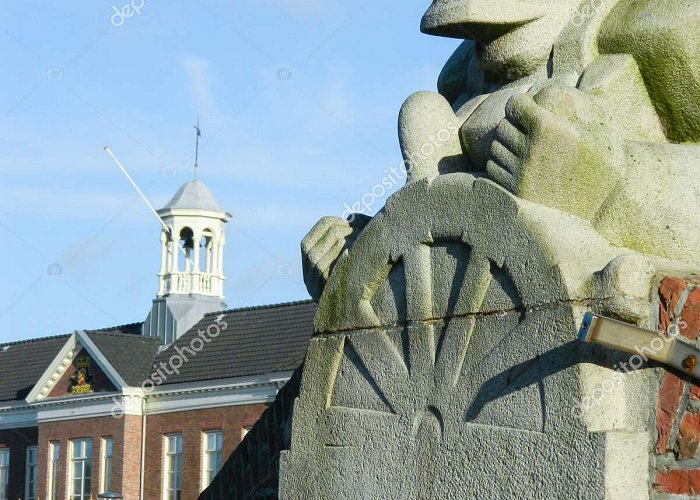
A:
{"x": 191, "y": 277}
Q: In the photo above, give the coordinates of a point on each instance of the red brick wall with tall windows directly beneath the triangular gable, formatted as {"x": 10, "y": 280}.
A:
{"x": 126, "y": 451}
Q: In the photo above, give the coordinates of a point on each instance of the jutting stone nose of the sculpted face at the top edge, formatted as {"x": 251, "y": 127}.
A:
{"x": 481, "y": 20}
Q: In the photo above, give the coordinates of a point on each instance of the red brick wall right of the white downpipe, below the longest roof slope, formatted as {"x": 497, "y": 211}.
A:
{"x": 191, "y": 424}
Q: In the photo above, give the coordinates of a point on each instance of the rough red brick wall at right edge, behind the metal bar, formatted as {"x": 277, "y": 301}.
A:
{"x": 678, "y": 407}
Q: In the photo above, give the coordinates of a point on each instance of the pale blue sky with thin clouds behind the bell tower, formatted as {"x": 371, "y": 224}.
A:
{"x": 278, "y": 153}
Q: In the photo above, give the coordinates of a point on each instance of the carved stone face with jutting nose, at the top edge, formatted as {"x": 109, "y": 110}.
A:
{"x": 514, "y": 37}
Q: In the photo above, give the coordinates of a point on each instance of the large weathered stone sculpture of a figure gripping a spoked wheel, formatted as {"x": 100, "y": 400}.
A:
{"x": 554, "y": 172}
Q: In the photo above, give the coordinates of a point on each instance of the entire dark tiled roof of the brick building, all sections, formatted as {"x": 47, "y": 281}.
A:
{"x": 254, "y": 341}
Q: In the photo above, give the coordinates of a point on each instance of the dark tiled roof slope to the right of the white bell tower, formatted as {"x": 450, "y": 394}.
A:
{"x": 254, "y": 341}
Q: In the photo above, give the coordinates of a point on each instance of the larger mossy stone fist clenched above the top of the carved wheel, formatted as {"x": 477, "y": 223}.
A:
{"x": 558, "y": 148}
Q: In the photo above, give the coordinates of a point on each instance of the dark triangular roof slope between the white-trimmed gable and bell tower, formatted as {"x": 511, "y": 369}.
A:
{"x": 131, "y": 355}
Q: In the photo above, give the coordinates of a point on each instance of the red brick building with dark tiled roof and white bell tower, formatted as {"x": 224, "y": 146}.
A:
{"x": 150, "y": 410}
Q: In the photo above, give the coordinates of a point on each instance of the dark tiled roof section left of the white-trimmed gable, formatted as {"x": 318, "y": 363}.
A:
{"x": 22, "y": 363}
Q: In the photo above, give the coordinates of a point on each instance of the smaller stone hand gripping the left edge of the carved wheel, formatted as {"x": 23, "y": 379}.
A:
{"x": 322, "y": 247}
